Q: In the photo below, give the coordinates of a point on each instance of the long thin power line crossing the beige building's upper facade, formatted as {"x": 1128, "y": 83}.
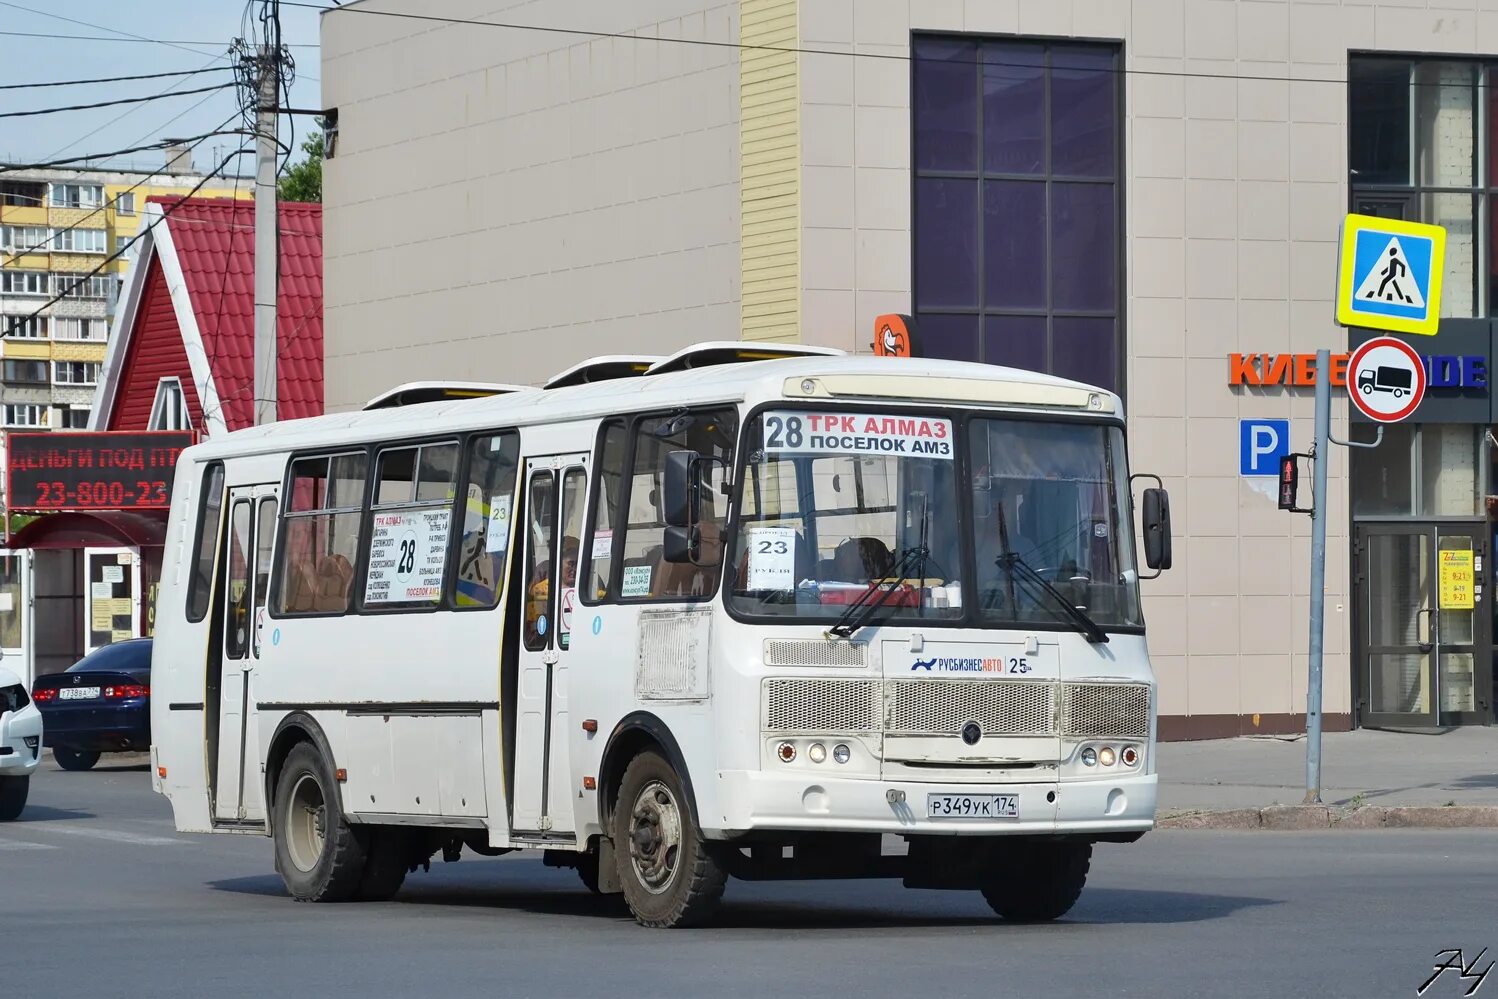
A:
{"x": 798, "y": 50}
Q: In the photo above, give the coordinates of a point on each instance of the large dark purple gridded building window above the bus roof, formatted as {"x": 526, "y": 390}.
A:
{"x": 1018, "y": 209}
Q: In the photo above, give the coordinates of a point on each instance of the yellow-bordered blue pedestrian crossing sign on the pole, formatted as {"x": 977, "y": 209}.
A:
{"x": 1389, "y": 276}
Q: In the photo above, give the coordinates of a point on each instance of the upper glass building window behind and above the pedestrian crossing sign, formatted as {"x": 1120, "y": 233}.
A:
{"x": 1419, "y": 149}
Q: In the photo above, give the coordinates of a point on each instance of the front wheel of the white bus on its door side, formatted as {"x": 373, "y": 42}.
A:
{"x": 666, "y": 869}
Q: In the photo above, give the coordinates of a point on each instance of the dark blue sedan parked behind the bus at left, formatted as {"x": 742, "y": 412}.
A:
{"x": 100, "y": 706}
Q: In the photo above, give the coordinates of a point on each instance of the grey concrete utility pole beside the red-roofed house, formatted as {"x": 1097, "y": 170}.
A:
{"x": 266, "y": 233}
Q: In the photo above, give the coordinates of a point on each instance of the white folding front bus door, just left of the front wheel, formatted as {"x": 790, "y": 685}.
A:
{"x": 554, "y": 526}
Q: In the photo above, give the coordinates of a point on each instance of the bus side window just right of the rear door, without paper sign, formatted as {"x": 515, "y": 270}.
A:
{"x": 321, "y": 535}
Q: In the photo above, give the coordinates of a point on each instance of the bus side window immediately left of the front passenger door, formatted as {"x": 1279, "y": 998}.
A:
{"x": 486, "y": 502}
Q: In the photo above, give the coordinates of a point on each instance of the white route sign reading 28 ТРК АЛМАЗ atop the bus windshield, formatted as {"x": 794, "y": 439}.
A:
{"x": 895, "y": 435}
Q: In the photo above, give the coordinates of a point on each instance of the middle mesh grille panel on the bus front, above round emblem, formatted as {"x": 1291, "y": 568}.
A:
{"x": 1001, "y": 708}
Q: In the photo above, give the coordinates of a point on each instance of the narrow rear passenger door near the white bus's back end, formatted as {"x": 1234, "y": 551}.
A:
{"x": 237, "y": 793}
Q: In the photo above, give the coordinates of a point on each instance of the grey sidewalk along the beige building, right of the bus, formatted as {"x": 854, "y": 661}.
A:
{"x": 1362, "y": 771}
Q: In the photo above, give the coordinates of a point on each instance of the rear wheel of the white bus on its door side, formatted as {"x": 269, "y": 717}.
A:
{"x": 318, "y": 853}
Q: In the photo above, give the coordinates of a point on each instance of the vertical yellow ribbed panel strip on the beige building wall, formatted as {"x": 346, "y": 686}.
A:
{"x": 769, "y": 173}
